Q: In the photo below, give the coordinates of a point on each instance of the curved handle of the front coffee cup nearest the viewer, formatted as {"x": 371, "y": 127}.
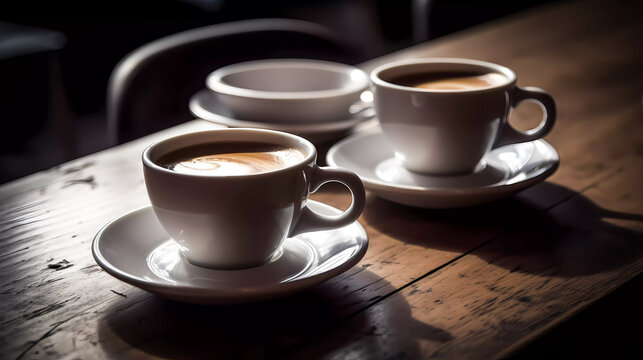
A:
{"x": 311, "y": 221}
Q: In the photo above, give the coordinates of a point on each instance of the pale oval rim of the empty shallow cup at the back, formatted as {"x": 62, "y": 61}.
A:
{"x": 359, "y": 79}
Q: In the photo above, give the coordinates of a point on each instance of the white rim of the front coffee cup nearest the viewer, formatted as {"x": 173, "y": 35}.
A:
{"x": 233, "y": 135}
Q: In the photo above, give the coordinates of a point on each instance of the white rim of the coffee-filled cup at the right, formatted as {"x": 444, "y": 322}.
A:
{"x": 509, "y": 74}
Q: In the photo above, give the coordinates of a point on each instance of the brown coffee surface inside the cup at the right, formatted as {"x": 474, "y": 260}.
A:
{"x": 451, "y": 80}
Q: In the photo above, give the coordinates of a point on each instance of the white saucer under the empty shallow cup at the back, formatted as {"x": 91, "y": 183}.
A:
{"x": 205, "y": 105}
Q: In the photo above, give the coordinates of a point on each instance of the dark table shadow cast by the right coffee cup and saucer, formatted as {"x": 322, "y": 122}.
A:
{"x": 572, "y": 238}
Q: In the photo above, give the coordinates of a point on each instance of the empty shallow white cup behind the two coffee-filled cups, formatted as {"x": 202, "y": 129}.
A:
{"x": 288, "y": 90}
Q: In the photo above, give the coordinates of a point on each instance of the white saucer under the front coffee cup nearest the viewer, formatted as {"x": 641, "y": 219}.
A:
{"x": 135, "y": 248}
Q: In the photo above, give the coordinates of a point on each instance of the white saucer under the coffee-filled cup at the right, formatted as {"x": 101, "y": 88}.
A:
{"x": 509, "y": 169}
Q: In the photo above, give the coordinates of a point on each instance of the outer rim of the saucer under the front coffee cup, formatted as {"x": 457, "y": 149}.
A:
{"x": 206, "y": 294}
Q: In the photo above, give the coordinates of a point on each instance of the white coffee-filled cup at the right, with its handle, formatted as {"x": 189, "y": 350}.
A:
{"x": 449, "y": 131}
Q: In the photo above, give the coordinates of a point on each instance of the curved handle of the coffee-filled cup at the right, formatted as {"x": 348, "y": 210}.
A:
{"x": 509, "y": 135}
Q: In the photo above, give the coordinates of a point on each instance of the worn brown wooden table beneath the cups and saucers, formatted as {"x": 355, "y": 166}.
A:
{"x": 466, "y": 283}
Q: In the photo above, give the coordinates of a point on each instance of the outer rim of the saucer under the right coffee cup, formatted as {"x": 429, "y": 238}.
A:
{"x": 378, "y": 184}
